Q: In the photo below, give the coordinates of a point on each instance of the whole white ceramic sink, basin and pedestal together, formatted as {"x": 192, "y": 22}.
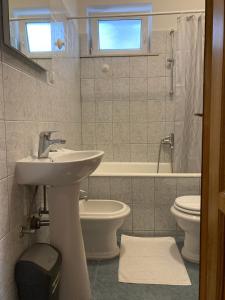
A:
{"x": 62, "y": 173}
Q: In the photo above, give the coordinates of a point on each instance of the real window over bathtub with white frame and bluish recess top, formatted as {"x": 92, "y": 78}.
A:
{"x": 116, "y": 36}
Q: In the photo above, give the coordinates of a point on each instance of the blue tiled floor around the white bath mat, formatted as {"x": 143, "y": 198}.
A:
{"x": 105, "y": 285}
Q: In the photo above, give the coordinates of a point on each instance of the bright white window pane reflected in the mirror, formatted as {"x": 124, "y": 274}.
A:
{"x": 39, "y": 37}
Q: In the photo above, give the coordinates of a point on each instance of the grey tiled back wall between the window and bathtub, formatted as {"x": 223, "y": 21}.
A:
{"x": 127, "y": 110}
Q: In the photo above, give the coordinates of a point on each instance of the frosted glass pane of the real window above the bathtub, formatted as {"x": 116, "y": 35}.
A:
{"x": 120, "y": 34}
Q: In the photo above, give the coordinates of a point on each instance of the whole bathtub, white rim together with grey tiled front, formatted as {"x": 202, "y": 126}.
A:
{"x": 148, "y": 193}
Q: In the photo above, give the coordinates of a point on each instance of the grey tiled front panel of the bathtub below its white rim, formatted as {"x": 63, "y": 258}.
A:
{"x": 149, "y": 198}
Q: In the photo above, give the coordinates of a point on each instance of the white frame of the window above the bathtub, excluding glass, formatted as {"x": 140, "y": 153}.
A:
{"x": 95, "y": 43}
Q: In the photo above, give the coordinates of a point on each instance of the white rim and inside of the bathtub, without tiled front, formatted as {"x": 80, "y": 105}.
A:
{"x": 138, "y": 169}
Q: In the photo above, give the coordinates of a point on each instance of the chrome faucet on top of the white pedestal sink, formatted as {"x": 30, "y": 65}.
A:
{"x": 45, "y": 143}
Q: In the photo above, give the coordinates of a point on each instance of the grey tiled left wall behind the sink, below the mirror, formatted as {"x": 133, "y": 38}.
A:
{"x": 28, "y": 106}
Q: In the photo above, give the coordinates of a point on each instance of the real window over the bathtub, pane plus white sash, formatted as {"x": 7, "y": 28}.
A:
{"x": 119, "y": 36}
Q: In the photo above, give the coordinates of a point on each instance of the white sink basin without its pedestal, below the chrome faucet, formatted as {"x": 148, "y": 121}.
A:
{"x": 63, "y": 167}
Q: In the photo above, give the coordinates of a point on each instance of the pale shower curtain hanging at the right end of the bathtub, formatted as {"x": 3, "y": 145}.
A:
{"x": 189, "y": 93}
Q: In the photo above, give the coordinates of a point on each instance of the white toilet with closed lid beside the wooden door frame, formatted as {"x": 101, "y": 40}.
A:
{"x": 187, "y": 211}
